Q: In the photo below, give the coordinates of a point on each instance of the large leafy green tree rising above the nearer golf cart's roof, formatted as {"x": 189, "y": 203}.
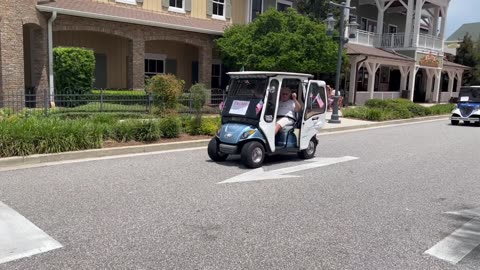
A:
{"x": 279, "y": 41}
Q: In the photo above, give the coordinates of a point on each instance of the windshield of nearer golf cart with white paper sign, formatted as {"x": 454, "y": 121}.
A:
{"x": 245, "y": 99}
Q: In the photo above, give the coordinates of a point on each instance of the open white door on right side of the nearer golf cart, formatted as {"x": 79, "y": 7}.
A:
{"x": 314, "y": 111}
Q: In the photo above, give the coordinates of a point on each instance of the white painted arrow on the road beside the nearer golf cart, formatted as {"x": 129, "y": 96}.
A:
{"x": 260, "y": 174}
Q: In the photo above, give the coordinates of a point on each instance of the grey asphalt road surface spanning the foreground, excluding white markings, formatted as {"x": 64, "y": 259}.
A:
{"x": 165, "y": 211}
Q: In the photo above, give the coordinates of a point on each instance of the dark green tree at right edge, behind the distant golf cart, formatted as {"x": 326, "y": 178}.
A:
{"x": 469, "y": 55}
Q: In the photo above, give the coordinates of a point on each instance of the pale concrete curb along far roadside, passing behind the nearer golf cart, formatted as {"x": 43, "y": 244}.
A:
{"x": 104, "y": 152}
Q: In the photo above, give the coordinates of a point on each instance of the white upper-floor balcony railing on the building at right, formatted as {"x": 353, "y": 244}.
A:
{"x": 397, "y": 41}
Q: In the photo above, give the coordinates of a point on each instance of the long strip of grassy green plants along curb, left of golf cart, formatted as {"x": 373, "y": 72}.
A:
{"x": 20, "y": 136}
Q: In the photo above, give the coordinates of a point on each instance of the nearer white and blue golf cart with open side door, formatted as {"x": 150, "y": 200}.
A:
{"x": 249, "y": 115}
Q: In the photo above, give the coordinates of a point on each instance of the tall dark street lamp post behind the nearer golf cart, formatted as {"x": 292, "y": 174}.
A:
{"x": 330, "y": 21}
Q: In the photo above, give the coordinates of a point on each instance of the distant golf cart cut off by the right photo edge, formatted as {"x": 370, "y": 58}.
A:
{"x": 468, "y": 106}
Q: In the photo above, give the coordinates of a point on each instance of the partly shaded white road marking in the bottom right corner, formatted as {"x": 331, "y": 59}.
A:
{"x": 461, "y": 242}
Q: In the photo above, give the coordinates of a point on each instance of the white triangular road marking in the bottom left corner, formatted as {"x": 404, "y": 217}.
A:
{"x": 20, "y": 238}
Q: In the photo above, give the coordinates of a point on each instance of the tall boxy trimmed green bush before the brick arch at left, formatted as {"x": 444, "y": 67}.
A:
{"x": 74, "y": 74}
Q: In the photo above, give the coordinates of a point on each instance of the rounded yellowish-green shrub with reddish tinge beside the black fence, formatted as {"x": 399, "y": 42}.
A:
{"x": 167, "y": 89}
